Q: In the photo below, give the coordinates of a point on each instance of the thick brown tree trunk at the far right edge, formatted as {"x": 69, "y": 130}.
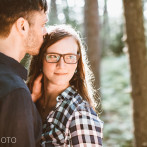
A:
{"x": 138, "y": 64}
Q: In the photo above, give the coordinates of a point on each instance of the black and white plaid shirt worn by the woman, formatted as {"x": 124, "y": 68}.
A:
{"x": 72, "y": 123}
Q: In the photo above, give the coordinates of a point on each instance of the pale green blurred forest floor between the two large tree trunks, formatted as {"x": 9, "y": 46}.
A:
{"x": 116, "y": 102}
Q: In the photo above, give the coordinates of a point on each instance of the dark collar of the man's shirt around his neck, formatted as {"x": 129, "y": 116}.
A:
{"x": 14, "y": 65}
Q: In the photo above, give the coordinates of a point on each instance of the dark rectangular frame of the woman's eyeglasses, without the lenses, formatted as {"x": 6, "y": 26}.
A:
{"x": 62, "y": 55}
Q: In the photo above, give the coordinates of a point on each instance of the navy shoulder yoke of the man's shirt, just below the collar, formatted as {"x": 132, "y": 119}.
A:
{"x": 10, "y": 81}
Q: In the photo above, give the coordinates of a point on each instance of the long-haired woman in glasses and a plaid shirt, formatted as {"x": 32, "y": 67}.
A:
{"x": 65, "y": 104}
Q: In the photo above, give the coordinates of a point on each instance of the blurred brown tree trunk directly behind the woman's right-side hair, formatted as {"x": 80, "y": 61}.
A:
{"x": 91, "y": 19}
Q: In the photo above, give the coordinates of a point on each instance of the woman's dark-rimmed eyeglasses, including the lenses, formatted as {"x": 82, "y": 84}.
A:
{"x": 68, "y": 58}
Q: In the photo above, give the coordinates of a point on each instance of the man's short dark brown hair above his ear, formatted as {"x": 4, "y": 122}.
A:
{"x": 11, "y": 10}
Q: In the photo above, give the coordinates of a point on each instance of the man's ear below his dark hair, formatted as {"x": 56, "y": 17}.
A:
{"x": 22, "y": 26}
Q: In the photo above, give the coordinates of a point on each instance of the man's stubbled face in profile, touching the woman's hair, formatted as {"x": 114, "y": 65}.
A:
{"x": 33, "y": 38}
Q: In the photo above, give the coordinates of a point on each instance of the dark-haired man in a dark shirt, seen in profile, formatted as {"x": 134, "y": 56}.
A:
{"x": 22, "y": 27}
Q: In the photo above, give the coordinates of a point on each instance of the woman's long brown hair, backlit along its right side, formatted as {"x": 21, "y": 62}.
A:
{"x": 83, "y": 77}
